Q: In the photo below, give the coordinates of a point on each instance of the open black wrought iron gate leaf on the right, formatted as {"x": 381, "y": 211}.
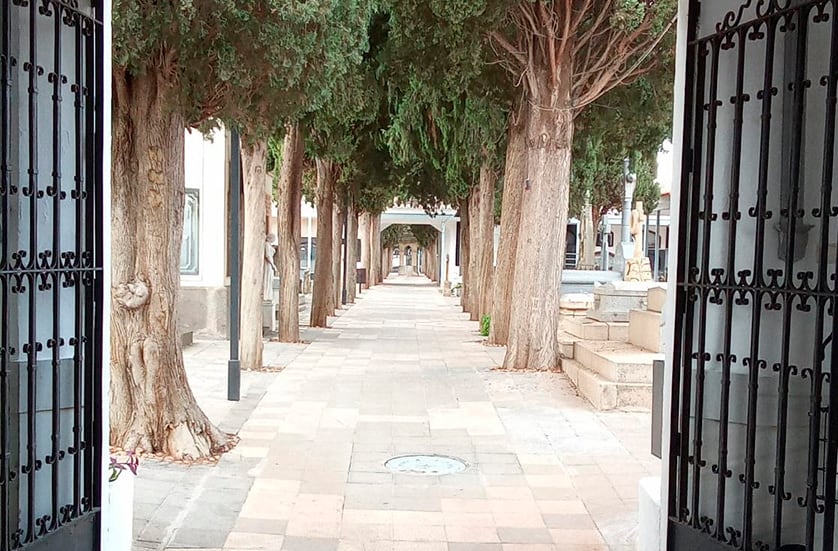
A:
{"x": 755, "y": 414}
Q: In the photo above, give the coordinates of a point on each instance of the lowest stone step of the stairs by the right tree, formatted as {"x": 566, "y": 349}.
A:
{"x": 604, "y": 394}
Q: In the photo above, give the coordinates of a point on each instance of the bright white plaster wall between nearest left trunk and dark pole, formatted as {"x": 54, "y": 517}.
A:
{"x": 206, "y": 171}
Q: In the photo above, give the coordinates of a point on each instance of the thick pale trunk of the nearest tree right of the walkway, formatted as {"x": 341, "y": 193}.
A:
{"x": 533, "y": 330}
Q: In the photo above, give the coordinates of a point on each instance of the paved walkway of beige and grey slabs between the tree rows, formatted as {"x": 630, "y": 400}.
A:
{"x": 401, "y": 372}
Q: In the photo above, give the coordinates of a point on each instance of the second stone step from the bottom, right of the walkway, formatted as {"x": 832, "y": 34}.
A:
{"x": 619, "y": 362}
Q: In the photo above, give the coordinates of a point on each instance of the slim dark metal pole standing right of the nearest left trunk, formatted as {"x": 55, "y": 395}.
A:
{"x": 234, "y": 364}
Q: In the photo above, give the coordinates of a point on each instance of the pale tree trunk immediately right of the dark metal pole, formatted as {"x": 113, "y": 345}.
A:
{"x": 254, "y": 157}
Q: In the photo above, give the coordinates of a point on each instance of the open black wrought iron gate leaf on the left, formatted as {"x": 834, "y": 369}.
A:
{"x": 51, "y": 274}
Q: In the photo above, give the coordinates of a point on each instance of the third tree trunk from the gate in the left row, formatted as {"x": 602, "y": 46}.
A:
{"x": 289, "y": 217}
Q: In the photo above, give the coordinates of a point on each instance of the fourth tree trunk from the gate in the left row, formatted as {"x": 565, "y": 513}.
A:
{"x": 323, "y": 296}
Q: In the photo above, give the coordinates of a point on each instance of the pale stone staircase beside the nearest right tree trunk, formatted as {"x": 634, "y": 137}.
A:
{"x": 610, "y": 363}
